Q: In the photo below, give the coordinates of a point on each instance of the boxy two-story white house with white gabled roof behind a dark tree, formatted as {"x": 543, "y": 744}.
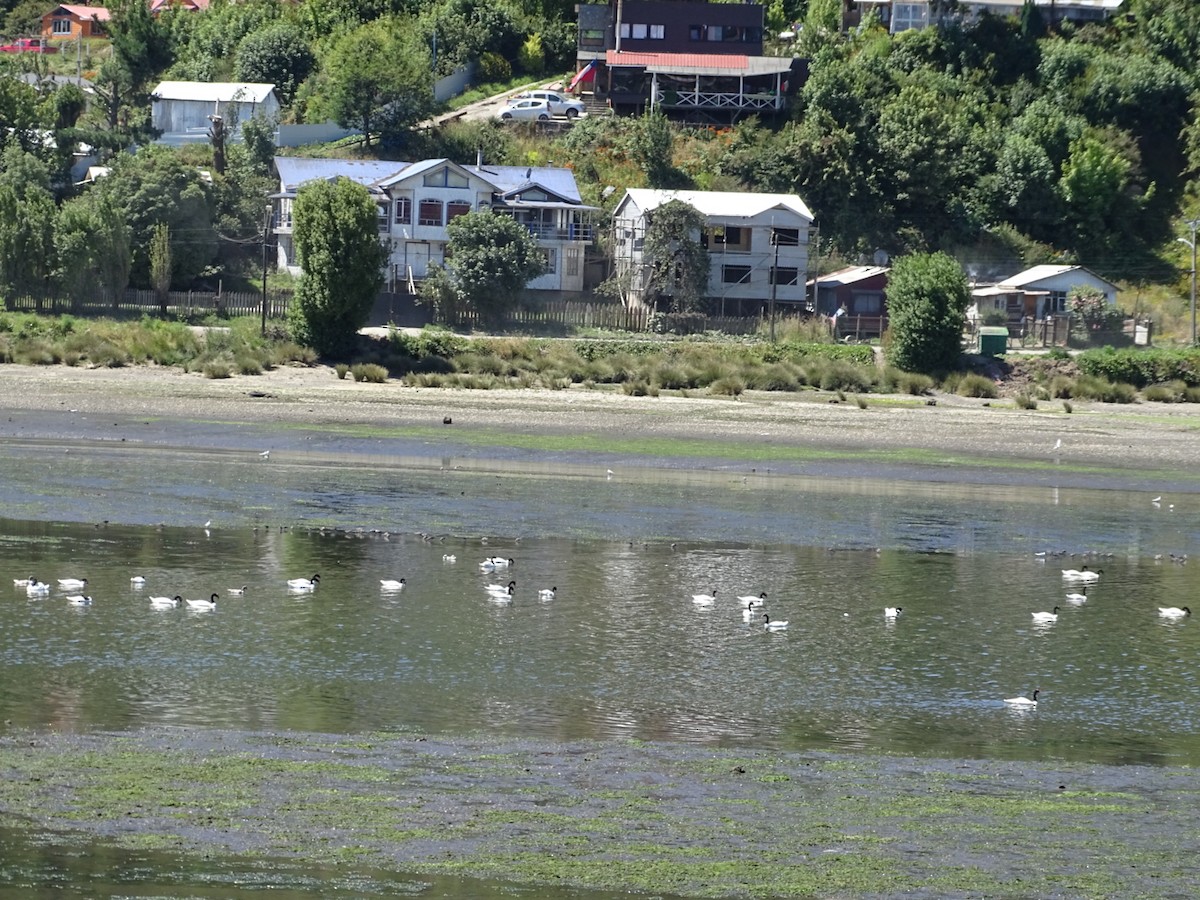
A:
{"x": 758, "y": 243}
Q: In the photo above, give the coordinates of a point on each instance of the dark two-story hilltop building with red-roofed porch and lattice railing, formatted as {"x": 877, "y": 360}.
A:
{"x": 695, "y": 61}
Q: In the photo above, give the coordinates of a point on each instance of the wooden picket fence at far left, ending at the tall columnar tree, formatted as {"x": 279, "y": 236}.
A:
{"x": 181, "y": 304}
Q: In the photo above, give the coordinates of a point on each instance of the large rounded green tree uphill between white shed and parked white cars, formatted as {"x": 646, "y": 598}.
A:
{"x": 377, "y": 80}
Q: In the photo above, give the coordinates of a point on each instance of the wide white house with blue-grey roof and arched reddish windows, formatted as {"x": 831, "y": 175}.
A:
{"x": 417, "y": 201}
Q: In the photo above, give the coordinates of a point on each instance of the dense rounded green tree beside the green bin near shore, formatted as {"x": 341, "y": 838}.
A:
{"x": 928, "y": 298}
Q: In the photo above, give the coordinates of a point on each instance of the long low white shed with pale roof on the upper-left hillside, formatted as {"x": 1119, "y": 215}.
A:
{"x": 182, "y": 111}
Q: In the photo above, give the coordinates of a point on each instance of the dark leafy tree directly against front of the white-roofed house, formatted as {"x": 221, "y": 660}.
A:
{"x": 676, "y": 261}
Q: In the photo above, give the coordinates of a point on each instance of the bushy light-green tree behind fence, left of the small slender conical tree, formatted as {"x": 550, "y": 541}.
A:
{"x": 93, "y": 247}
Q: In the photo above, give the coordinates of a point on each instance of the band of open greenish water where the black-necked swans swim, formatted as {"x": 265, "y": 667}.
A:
{"x": 622, "y": 652}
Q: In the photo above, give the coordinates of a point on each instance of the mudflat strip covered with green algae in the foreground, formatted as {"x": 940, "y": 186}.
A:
{"x": 619, "y": 817}
